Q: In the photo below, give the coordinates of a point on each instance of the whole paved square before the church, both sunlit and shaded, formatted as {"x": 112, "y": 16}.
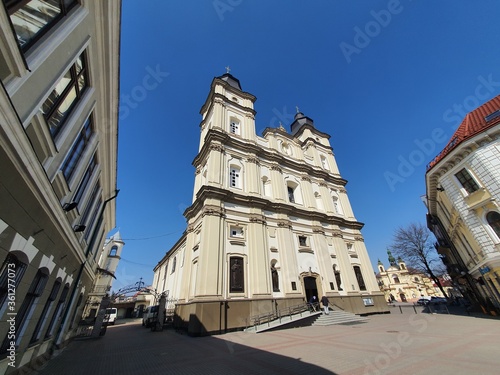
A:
{"x": 386, "y": 344}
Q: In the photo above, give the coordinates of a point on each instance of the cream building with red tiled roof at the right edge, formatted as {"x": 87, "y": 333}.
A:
{"x": 463, "y": 197}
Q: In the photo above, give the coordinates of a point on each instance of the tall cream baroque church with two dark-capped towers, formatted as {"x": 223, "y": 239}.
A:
{"x": 270, "y": 223}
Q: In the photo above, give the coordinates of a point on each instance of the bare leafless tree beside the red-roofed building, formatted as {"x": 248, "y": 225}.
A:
{"x": 415, "y": 246}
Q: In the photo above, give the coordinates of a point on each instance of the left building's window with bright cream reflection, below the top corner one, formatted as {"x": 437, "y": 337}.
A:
{"x": 65, "y": 95}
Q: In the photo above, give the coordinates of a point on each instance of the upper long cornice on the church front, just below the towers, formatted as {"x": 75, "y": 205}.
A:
{"x": 219, "y": 137}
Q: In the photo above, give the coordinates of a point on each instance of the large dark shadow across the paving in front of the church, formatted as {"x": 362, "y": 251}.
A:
{"x": 129, "y": 348}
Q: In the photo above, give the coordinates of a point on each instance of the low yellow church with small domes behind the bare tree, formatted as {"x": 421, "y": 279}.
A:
{"x": 403, "y": 284}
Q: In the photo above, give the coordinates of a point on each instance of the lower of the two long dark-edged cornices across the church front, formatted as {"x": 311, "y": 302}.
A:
{"x": 211, "y": 192}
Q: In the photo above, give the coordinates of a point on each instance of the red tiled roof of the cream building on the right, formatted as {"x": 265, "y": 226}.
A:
{"x": 475, "y": 122}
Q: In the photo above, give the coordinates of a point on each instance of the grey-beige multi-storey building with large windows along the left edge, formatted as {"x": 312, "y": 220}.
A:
{"x": 59, "y": 65}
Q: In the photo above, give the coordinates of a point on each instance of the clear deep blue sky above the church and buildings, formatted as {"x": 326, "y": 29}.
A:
{"x": 388, "y": 80}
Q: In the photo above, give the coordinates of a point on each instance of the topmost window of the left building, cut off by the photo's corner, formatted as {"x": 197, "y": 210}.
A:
{"x": 32, "y": 19}
